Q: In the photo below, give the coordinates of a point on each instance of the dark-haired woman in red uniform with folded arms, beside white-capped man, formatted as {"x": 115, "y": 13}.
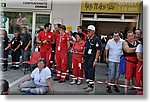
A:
{"x": 77, "y": 59}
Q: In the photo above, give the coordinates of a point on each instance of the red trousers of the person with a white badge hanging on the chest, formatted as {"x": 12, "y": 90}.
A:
{"x": 61, "y": 64}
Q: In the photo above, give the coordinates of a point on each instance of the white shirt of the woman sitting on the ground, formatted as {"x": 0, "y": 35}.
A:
{"x": 40, "y": 78}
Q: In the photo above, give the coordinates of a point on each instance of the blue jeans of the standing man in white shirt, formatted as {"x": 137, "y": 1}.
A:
{"x": 113, "y": 71}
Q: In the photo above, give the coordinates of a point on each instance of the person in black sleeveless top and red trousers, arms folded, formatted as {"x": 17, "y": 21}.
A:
{"x": 129, "y": 47}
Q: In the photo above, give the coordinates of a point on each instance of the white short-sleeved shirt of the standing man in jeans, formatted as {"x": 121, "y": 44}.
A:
{"x": 115, "y": 50}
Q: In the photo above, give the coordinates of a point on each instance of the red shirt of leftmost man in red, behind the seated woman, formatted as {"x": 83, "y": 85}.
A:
{"x": 49, "y": 36}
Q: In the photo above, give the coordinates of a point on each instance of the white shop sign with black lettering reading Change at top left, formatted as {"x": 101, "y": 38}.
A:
{"x": 26, "y": 4}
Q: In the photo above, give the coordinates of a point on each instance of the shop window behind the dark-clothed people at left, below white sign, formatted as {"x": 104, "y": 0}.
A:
{"x": 15, "y": 21}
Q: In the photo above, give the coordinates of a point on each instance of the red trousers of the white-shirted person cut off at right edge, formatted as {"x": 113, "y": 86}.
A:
{"x": 139, "y": 74}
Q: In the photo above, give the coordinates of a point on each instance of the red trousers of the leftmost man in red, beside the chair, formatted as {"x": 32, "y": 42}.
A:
{"x": 47, "y": 56}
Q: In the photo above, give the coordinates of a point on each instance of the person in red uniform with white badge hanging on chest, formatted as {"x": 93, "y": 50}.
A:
{"x": 62, "y": 45}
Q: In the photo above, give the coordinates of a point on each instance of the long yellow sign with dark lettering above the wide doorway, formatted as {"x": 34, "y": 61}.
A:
{"x": 124, "y": 6}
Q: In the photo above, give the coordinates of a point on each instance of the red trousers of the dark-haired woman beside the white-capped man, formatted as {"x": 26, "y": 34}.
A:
{"x": 77, "y": 66}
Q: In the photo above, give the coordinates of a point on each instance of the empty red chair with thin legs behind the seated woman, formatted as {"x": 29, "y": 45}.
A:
{"x": 35, "y": 56}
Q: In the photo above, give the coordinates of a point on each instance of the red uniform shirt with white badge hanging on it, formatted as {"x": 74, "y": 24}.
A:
{"x": 62, "y": 42}
